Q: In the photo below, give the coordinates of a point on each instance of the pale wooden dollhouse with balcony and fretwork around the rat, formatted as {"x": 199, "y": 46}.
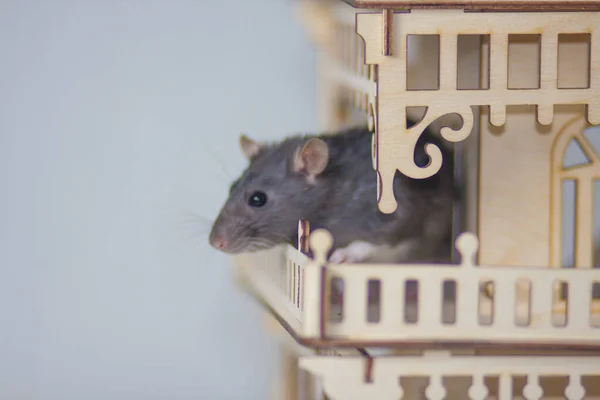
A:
{"x": 515, "y": 84}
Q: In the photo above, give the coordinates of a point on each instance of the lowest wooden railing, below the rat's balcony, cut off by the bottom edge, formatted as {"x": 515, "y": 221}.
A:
{"x": 438, "y": 375}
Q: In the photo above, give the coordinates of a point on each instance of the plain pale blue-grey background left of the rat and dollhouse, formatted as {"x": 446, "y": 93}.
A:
{"x": 113, "y": 118}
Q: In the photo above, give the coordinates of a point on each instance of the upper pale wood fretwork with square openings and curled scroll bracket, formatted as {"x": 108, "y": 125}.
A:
{"x": 394, "y": 144}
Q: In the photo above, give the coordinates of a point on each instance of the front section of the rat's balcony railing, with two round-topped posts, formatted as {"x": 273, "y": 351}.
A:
{"x": 506, "y": 323}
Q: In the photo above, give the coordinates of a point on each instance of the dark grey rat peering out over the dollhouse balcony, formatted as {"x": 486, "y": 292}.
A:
{"x": 328, "y": 179}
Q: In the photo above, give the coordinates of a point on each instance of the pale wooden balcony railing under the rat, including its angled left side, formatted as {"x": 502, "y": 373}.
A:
{"x": 428, "y": 304}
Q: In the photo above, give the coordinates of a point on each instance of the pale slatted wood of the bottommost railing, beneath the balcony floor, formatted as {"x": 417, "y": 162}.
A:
{"x": 341, "y": 376}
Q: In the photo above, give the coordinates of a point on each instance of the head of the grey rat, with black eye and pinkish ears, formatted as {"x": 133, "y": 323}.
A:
{"x": 278, "y": 188}
